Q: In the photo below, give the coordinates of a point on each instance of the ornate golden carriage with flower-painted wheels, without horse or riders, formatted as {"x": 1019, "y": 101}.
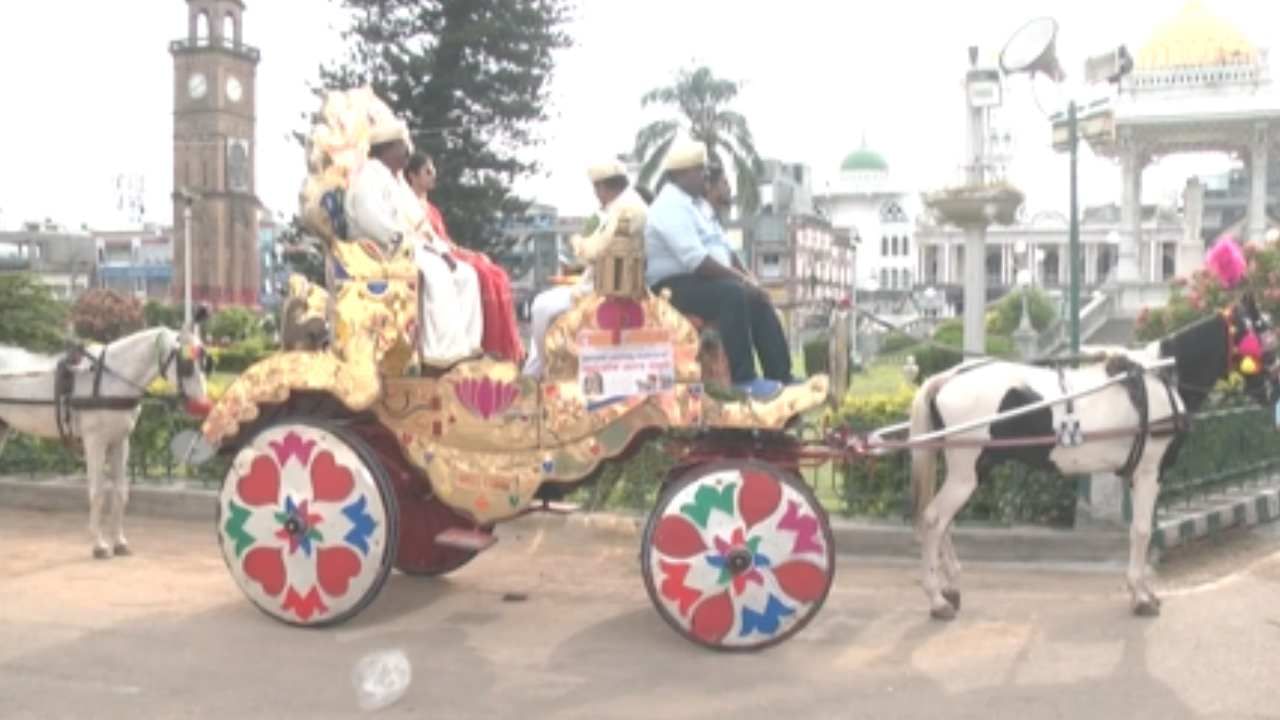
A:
{"x": 354, "y": 459}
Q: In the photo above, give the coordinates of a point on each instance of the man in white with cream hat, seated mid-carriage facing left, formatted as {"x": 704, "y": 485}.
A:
{"x": 615, "y": 194}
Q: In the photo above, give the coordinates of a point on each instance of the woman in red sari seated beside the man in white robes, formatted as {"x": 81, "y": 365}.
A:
{"x": 501, "y": 334}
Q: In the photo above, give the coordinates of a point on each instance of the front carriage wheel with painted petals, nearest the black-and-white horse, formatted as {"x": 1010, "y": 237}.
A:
{"x": 738, "y": 555}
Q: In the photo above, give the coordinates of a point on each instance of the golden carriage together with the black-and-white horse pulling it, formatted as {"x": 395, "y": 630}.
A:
{"x": 353, "y": 459}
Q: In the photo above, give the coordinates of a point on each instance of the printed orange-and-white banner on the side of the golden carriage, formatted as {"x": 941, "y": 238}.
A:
{"x": 642, "y": 363}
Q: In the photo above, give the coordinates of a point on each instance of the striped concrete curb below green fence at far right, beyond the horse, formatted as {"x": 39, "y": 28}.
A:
{"x": 1240, "y": 509}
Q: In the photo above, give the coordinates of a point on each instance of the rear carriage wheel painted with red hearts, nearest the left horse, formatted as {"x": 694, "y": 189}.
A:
{"x": 308, "y": 522}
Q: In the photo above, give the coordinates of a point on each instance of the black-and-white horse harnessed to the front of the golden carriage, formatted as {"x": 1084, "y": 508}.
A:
{"x": 1109, "y": 420}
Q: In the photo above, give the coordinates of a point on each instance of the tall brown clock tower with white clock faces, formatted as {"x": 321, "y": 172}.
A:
{"x": 213, "y": 156}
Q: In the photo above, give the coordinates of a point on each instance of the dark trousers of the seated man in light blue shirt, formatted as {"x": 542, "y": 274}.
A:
{"x": 746, "y": 320}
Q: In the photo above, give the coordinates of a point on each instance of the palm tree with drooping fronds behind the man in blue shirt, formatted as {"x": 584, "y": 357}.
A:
{"x": 702, "y": 101}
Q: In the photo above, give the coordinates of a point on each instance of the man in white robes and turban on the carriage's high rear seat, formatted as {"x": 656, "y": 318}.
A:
{"x": 382, "y": 208}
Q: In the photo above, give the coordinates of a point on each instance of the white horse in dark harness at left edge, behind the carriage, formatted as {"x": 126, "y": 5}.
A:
{"x": 102, "y": 409}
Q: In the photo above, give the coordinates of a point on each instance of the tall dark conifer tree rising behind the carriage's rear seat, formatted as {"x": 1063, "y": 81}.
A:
{"x": 472, "y": 79}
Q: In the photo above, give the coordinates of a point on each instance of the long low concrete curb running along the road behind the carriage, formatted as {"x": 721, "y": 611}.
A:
{"x": 1020, "y": 545}
